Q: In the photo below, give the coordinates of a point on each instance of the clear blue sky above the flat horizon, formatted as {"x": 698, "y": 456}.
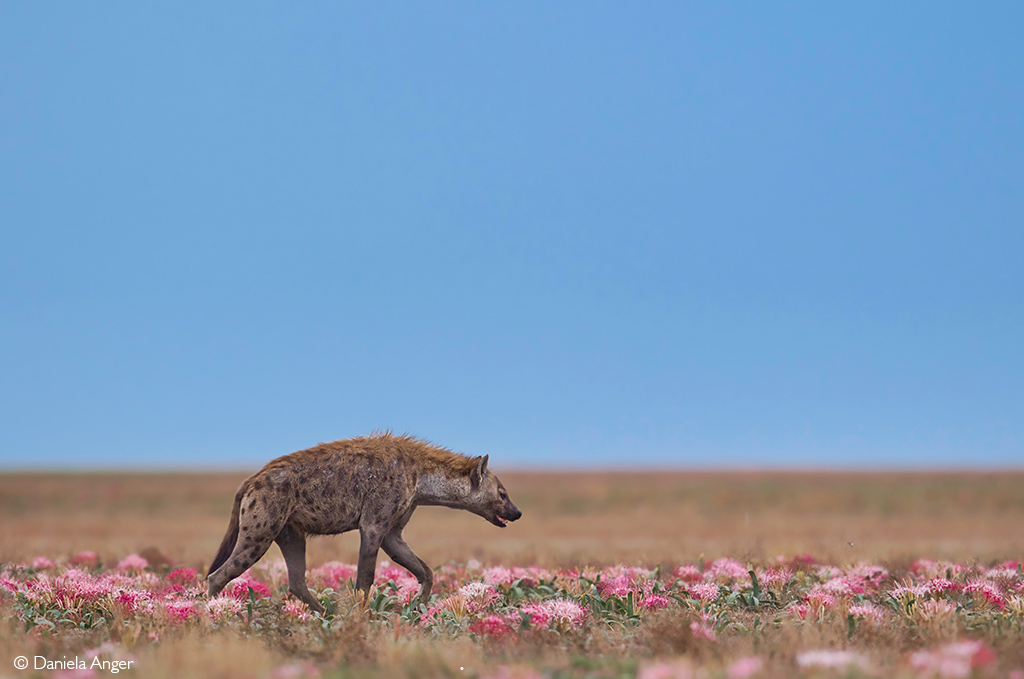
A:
{"x": 563, "y": 234}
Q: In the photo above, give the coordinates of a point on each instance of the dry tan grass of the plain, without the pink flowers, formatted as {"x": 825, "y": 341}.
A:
{"x": 572, "y": 521}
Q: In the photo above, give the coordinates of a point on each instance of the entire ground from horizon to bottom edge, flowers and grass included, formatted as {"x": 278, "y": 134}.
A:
{"x": 925, "y": 578}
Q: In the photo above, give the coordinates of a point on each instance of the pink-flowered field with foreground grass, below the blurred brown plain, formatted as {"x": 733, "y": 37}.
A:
{"x": 721, "y": 618}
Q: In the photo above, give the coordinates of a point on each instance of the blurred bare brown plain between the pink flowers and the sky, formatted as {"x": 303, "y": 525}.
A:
{"x": 570, "y": 520}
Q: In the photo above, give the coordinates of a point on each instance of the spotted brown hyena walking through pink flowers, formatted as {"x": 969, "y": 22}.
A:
{"x": 373, "y": 484}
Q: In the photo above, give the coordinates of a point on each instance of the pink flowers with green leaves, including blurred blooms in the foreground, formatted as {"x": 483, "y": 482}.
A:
{"x": 511, "y": 603}
